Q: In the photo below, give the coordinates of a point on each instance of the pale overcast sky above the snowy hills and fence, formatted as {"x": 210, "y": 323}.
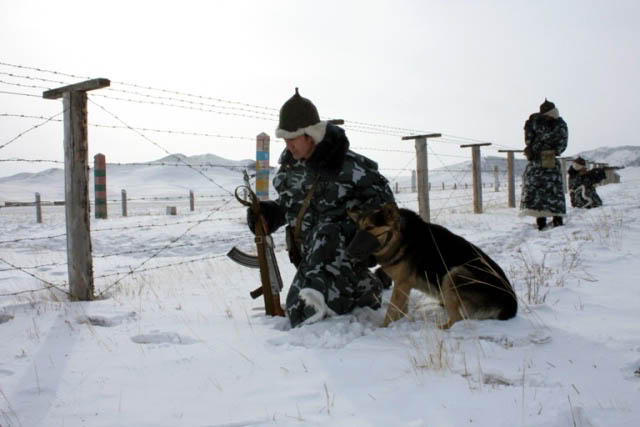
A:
{"x": 472, "y": 70}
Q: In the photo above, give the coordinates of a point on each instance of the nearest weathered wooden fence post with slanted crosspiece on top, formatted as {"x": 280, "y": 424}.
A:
{"x": 76, "y": 182}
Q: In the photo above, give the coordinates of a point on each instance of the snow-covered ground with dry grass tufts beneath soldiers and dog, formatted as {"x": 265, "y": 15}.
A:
{"x": 185, "y": 345}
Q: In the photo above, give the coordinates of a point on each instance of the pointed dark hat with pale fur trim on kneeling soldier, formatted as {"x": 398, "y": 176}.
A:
{"x": 298, "y": 116}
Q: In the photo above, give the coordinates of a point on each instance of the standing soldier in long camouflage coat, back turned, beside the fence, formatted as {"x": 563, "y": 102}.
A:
{"x": 546, "y": 136}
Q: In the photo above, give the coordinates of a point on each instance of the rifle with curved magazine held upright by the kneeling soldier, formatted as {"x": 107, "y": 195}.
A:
{"x": 265, "y": 260}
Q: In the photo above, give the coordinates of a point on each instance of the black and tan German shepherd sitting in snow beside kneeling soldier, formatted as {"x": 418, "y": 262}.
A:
{"x": 428, "y": 257}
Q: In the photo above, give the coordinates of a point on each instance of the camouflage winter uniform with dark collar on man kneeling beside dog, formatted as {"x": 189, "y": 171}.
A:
{"x": 343, "y": 180}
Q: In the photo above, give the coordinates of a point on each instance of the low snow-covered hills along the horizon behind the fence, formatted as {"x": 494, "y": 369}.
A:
{"x": 212, "y": 175}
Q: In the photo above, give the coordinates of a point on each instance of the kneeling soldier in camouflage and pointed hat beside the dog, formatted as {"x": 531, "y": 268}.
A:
{"x": 318, "y": 180}
